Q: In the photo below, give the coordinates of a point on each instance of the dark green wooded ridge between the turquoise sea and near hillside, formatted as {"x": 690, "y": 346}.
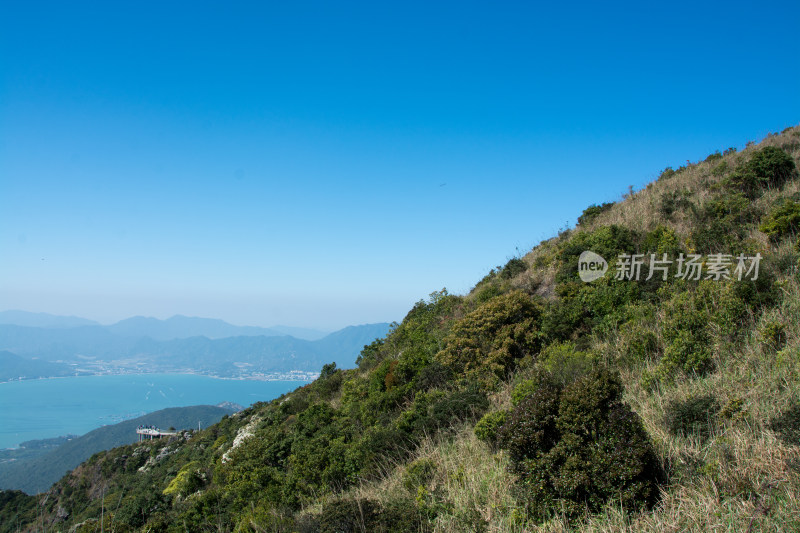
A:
{"x": 34, "y": 472}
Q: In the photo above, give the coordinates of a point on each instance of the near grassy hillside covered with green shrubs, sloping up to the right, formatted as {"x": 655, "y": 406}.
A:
{"x": 535, "y": 402}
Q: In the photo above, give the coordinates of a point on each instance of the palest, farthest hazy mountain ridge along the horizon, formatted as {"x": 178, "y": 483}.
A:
{"x": 176, "y": 327}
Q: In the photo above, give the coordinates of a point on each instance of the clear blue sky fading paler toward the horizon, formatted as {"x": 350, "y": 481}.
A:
{"x": 323, "y": 164}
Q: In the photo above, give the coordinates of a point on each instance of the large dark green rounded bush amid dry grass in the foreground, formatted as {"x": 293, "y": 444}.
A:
{"x": 577, "y": 448}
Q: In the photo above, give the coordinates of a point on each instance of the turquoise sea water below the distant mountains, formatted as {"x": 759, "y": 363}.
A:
{"x": 44, "y": 408}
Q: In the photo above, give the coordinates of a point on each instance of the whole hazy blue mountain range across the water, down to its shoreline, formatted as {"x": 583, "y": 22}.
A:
{"x": 178, "y": 344}
